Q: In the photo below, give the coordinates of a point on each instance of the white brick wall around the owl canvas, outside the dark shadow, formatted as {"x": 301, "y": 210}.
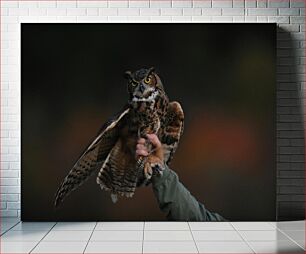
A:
{"x": 289, "y": 14}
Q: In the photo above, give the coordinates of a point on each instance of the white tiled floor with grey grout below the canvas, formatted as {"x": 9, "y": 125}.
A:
{"x": 152, "y": 237}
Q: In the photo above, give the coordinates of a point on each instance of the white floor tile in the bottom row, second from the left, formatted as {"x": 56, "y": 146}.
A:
{"x": 60, "y": 247}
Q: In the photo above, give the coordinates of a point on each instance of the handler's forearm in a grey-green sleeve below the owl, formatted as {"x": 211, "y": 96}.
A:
{"x": 177, "y": 202}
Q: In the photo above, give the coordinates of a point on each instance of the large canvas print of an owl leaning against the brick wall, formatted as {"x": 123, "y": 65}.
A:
{"x": 148, "y": 122}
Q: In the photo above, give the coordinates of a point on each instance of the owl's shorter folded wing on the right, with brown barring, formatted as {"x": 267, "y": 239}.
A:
{"x": 174, "y": 126}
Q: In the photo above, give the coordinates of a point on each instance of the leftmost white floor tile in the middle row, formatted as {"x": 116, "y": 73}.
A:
{"x": 23, "y": 236}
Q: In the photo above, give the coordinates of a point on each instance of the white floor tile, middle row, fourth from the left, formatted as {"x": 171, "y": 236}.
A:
{"x": 164, "y": 235}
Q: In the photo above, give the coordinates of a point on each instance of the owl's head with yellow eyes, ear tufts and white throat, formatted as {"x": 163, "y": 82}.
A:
{"x": 144, "y": 85}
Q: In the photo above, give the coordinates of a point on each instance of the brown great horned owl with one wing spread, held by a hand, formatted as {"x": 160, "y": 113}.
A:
{"x": 112, "y": 151}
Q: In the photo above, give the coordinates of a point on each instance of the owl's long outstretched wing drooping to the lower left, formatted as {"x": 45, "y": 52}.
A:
{"x": 93, "y": 156}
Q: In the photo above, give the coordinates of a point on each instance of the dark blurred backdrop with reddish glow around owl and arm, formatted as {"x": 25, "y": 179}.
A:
{"x": 222, "y": 74}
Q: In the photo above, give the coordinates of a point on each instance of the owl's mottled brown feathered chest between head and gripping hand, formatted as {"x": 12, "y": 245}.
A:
{"x": 148, "y": 116}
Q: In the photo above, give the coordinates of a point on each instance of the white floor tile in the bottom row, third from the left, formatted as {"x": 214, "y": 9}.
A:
{"x": 114, "y": 247}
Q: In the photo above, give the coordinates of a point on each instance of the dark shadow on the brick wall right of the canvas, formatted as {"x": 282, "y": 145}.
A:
{"x": 290, "y": 130}
